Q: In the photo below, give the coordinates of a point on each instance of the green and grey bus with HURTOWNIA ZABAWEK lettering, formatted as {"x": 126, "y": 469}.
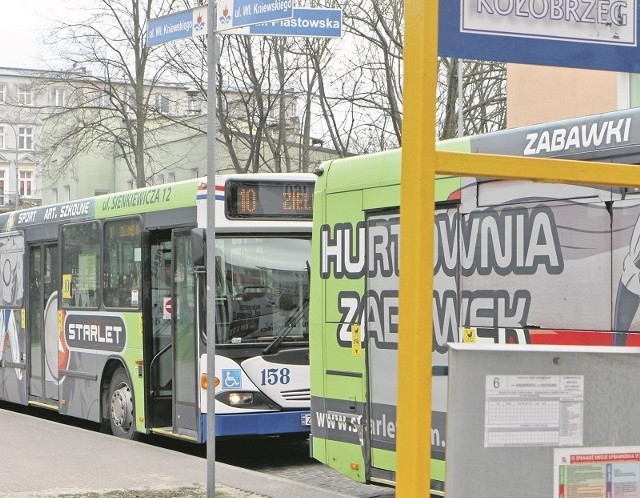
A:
{"x": 513, "y": 260}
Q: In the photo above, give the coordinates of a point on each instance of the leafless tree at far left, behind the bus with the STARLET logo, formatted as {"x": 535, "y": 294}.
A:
{"x": 114, "y": 78}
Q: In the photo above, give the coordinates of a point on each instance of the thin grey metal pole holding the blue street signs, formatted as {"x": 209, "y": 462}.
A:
{"x": 212, "y": 128}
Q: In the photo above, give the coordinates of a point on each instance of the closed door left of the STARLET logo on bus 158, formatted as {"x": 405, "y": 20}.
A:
{"x": 42, "y": 323}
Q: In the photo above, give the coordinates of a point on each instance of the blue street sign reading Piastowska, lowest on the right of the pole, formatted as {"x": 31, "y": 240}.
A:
{"x": 310, "y": 23}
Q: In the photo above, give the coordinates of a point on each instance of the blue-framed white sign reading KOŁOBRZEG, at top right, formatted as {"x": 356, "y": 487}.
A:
{"x": 590, "y": 34}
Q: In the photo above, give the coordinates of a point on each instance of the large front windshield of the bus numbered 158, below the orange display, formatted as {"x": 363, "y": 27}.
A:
{"x": 262, "y": 286}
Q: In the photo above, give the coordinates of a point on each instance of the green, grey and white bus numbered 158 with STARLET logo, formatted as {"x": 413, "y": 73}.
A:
{"x": 103, "y": 306}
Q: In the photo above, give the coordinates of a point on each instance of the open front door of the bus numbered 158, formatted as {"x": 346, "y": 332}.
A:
{"x": 172, "y": 371}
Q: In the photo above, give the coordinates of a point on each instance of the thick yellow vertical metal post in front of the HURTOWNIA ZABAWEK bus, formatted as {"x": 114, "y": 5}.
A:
{"x": 416, "y": 256}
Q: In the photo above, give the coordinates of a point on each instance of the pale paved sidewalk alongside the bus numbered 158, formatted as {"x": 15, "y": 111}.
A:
{"x": 41, "y": 458}
